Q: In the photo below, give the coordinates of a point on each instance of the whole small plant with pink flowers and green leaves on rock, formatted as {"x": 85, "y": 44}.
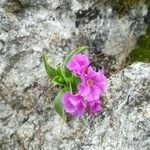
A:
{"x": 81, "y": 86}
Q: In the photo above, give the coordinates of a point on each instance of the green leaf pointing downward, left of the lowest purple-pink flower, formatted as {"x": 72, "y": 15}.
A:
{"x": 58, "y": 105}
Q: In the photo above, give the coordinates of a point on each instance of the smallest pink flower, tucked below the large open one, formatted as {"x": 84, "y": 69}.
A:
{"x": 94, "y": 106}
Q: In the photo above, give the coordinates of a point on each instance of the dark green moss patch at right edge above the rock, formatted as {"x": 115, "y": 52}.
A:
{"x": 142, "y": 52}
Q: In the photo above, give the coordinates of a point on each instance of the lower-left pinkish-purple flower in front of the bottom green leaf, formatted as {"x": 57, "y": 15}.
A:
{"x": 73, "y": 104}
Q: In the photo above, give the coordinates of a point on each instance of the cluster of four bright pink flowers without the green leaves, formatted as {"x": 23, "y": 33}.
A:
{"x": 92, "y": 85}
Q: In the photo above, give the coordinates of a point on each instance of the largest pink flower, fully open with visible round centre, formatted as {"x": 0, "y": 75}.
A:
{"x": 92, "y": 84}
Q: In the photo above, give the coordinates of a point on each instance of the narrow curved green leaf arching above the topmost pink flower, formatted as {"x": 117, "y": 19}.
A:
{"x": 78, "y": 50}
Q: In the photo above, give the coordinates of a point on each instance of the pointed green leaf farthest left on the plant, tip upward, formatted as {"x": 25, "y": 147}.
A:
{"x": 48, "y": 68}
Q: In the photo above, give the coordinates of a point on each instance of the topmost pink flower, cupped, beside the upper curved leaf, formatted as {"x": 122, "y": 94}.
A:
{"x": 78, "y": 64}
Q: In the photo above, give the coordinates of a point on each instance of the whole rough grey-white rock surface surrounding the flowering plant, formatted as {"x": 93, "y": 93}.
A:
{"x": 27, "y": 119}
